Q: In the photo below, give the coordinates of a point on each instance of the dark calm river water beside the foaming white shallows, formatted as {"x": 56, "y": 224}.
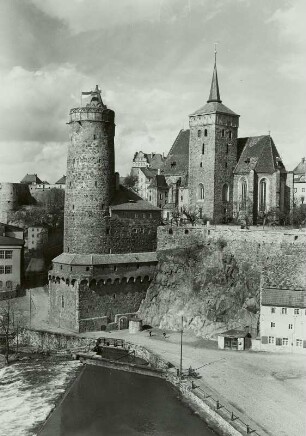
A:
{"x": 105, "y": 402}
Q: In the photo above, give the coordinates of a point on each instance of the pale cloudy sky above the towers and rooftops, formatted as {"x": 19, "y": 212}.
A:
{"x": 153, "y": 60}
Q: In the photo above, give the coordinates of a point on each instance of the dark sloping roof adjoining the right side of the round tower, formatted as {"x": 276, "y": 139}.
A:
{"x": 126, "y": 199}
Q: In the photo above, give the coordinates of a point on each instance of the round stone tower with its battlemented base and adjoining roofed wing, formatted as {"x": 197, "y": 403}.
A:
{"x": 109, "y": 232}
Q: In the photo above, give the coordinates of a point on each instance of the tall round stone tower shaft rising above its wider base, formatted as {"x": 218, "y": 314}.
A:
{"x": 90, "y": 181}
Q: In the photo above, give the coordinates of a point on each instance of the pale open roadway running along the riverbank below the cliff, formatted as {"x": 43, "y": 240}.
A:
{"x": 266, "y": 390}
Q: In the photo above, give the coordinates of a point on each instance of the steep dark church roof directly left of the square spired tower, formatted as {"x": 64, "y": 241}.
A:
{"x": 177, "y": 161}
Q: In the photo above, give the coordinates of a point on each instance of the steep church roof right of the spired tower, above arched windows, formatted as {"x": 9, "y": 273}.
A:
{"x": 258, "y": 153}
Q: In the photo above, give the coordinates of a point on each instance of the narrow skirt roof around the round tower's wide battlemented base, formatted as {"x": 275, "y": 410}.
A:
{"x": 105, "y": 259}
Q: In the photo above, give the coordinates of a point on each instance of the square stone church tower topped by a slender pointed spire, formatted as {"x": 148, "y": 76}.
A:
{"x": 212, "y": 156}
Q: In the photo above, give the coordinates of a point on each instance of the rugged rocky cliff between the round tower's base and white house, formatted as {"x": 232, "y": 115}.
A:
{"x": 213, "y": 283}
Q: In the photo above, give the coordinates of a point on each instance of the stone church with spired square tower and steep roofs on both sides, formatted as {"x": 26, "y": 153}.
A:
{"x": 228, "y": 178}
